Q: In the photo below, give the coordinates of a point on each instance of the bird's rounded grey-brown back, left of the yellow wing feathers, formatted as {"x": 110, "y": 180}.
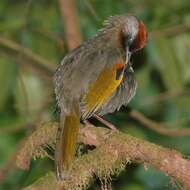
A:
{"x": 78, "y": 70}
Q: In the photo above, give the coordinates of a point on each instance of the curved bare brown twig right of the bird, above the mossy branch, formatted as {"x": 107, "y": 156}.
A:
{"x": 158, "y": 127}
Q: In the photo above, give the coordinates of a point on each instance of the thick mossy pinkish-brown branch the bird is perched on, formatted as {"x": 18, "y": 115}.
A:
{"x": 114, "y": 150}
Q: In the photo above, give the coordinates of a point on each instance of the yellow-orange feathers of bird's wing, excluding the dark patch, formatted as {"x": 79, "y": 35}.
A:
{"x": 102, "y": 89}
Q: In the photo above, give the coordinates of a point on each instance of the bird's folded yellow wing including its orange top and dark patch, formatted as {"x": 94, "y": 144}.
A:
{"x": 102, "y": 89}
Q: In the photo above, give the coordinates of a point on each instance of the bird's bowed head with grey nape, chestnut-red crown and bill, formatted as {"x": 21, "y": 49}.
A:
{"x": 130, "y": 33}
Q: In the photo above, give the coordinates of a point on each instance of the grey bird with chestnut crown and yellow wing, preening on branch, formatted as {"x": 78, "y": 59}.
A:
{"x": 96, "y": 77}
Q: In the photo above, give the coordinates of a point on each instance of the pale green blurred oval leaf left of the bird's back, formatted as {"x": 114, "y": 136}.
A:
{"x": 30, "y": 97}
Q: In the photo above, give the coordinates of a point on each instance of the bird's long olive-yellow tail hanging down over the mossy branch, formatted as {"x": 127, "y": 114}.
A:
{"x": 66, "y": 142}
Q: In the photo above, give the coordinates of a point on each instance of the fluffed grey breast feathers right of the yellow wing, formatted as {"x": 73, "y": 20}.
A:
{"x": 124, "y": 93}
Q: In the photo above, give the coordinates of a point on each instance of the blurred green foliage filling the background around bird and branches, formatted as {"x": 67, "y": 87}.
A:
{"x": 26, "y": 95}
